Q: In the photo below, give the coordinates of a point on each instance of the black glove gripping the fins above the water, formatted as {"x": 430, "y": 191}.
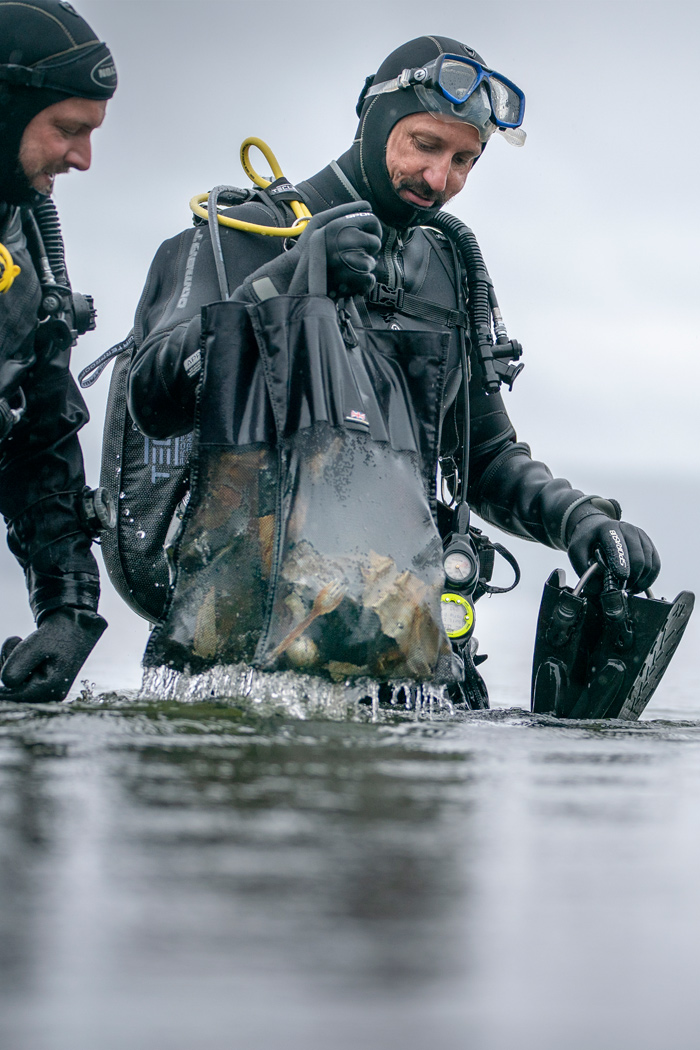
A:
{"x": 627, "y": 551}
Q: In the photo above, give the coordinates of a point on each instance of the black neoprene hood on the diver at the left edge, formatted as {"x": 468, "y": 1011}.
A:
{"x": 48, "y": 54}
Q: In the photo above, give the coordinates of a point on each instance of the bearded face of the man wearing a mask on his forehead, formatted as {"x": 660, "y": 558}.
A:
{"x": 430, "y": 158}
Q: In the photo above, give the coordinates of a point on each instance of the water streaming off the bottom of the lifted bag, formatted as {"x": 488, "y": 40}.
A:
{"x": 299, "y": 696}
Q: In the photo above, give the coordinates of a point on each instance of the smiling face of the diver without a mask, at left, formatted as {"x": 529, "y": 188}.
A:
{"x": 59, "y": 139}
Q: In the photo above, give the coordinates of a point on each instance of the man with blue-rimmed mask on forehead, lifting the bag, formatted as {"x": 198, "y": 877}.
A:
{"x": 417, "y": 141}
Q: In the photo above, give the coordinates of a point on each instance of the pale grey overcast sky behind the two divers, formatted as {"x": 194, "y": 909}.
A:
{"x": 591, "y": 232}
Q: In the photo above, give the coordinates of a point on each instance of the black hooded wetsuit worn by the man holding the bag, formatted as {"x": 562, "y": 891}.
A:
{"x": 505, "y": 487}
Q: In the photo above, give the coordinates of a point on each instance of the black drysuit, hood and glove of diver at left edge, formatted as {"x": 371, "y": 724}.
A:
{"x": 48, "y": 54}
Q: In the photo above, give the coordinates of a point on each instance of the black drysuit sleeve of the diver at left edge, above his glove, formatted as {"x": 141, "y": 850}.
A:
{"x": 43, "y": 478}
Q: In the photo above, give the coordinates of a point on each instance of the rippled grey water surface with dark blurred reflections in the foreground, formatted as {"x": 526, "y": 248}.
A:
{"x": 205, "y": 876}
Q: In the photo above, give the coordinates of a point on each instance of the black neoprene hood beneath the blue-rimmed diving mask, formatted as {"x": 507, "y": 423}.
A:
{"x": 380, "y": 114}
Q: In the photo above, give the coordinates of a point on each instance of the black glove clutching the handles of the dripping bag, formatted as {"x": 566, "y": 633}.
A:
{"x": 353, "y": 240}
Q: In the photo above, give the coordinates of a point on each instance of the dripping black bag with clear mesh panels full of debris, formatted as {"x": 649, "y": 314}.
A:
{"x": 309, "y": 541}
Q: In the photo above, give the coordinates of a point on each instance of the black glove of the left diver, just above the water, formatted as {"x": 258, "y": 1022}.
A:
{"x": 44, "y": 667}
